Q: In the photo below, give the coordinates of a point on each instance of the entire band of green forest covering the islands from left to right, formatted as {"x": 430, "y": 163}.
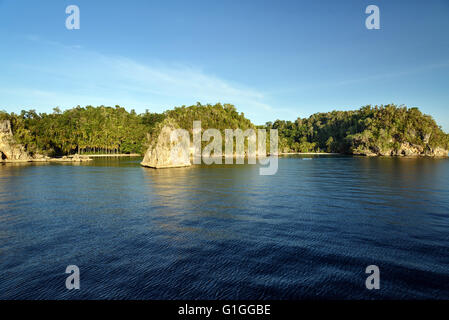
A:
{"x": 115, "y": 130}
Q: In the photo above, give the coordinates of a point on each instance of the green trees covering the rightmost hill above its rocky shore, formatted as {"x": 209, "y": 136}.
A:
{"x": 369, "y": 129}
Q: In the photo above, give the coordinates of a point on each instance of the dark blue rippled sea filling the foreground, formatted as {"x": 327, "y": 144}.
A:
{"x": 225, "y": 232}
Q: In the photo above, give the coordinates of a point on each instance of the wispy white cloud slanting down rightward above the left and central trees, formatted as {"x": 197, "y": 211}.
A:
{"x": 70, "y": 75}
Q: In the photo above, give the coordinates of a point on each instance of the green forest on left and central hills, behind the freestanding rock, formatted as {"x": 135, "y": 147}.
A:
{"x": 107, "y": 130}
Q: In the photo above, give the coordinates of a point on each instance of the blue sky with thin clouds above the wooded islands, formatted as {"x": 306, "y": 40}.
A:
{"x": 272, "y": 59}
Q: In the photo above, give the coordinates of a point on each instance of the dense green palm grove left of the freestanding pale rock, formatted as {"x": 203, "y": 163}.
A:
{"x": 83, "y": 130}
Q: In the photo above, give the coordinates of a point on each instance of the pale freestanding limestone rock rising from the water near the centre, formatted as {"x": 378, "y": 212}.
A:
{"x": 162, "y": 152}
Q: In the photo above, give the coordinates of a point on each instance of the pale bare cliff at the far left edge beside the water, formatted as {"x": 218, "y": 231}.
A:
{"x": 9, "y": 149}
